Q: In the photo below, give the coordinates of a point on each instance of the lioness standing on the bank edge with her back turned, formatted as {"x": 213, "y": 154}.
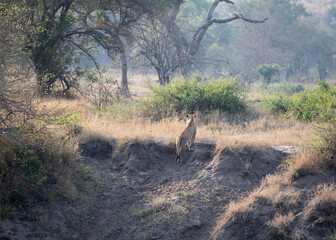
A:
{"x": 187, "y": 137}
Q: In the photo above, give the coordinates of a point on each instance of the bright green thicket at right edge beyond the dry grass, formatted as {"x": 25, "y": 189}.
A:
{"x": 308, "y": 105}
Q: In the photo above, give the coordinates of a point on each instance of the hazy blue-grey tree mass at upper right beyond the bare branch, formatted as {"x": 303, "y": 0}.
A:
{"x": 290, "y": 38}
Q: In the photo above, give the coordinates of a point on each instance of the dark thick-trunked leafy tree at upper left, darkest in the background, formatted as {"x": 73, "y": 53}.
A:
{"x": 49, "y": 45}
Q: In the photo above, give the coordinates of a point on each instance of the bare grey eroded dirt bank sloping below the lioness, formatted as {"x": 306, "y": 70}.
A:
{"x": 142, "y": 193}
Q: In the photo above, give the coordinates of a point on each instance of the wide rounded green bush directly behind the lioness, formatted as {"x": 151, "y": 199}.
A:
{"x": 192, "y": 95}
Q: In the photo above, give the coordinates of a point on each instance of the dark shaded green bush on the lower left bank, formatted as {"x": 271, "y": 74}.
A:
{"x": 29, "y": 163}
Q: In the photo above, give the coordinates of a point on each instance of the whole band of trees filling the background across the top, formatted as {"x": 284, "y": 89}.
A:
{"x": 49, "y": 38}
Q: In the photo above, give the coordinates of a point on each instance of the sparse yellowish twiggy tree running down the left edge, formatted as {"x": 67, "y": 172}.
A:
{"x": 15, "y": 102}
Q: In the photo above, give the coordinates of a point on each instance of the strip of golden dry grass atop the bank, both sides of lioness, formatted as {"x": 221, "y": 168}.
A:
{"x": 262, "y": 132}
